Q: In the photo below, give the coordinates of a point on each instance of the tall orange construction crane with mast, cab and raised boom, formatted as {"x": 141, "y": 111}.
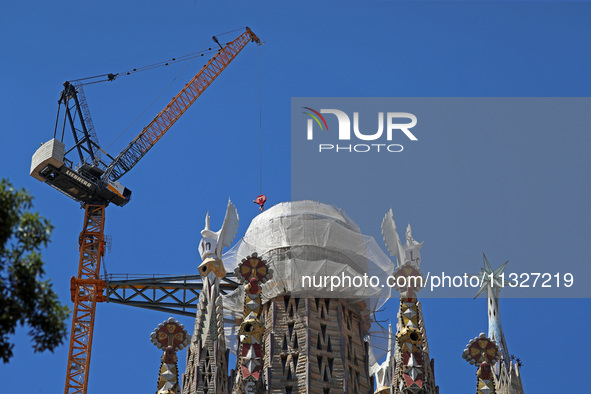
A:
{"x": 94, "y": 183}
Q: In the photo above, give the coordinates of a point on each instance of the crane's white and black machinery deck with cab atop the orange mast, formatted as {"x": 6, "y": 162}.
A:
{"x": 84, "y": 184}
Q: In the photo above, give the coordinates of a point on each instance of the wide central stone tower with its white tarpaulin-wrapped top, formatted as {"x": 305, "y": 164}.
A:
{"x": 314, "y": 335}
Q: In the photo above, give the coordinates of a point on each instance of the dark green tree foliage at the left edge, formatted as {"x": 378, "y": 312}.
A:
{"x": 25, "y": 298}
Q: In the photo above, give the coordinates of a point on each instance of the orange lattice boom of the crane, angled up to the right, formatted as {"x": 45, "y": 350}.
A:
{"x": 130, "y": 156}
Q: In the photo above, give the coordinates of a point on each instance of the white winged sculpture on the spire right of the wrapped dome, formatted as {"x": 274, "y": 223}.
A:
{"x": 410, "y": 251}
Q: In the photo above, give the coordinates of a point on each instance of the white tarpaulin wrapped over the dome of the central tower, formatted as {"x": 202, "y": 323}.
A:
{"x": 308, "y": 238}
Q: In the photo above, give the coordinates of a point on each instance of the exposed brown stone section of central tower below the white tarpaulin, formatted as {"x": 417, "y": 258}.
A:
{"x": 315, "y": 345}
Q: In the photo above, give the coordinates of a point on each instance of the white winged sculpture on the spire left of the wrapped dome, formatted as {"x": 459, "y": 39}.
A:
{"x": 212, "y": 243}
